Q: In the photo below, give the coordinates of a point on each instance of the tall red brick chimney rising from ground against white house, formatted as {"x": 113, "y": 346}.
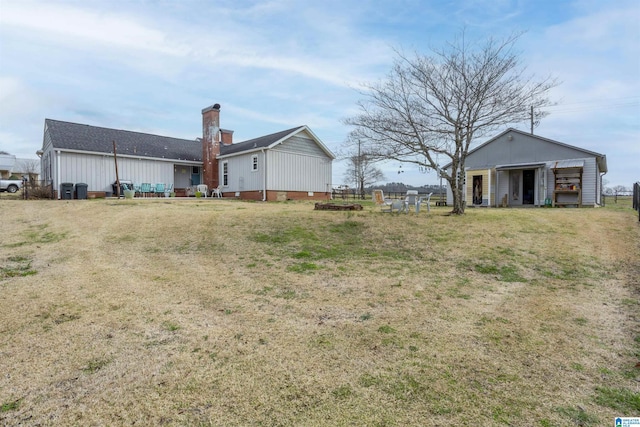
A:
{"x": 210, "y": 145}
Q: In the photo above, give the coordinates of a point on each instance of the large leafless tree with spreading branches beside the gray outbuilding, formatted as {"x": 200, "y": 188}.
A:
{"x": 439, "y": 104}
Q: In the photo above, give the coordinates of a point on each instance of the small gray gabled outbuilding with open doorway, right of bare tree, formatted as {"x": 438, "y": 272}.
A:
{"x": 516, "y": 168}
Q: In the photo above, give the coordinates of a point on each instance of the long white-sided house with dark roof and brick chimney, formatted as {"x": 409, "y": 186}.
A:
{"x": 292, "y": 164}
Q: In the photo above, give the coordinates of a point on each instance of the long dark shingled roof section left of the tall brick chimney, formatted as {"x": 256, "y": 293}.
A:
{"x": 74, "y": 136}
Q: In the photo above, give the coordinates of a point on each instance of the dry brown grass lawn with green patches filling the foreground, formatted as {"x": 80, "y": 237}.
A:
{"x": 227, "y": 313}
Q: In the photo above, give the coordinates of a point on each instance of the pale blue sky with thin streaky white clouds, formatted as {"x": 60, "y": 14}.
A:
{"x": 153, "y": 65}
